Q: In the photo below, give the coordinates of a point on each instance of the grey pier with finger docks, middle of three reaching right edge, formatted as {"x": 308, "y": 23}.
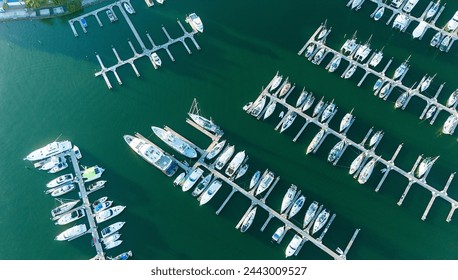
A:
{"x": 412, "y": 92}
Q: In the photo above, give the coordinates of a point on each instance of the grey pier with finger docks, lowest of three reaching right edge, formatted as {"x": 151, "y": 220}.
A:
{"x": 390, "y": 165}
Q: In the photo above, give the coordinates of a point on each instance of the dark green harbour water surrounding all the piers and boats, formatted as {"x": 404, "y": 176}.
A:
{"x": 48, "y": 89}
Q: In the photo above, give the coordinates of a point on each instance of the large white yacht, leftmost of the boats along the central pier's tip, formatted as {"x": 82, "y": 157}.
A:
{"x": 152, "y": 155}
